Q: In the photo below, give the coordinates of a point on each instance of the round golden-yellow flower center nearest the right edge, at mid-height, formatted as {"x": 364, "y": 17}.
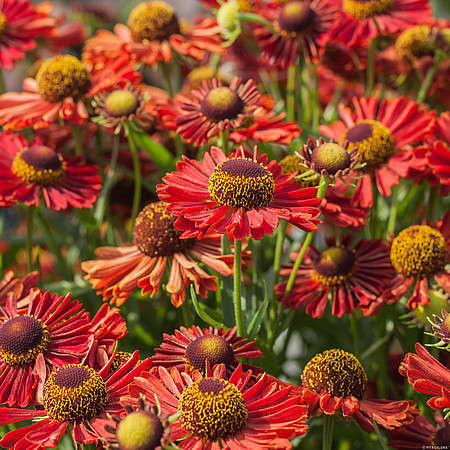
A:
{"x": 420, "y": 251}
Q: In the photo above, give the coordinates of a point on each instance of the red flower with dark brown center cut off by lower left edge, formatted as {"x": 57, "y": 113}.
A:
{"x": 50, "y": 332}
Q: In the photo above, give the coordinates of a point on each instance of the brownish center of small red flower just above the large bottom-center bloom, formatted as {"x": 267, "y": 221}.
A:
{"x": 212, "y": 347}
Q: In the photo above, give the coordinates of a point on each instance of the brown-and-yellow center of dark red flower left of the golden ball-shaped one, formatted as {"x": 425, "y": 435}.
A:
{"x": 334, "y": 266}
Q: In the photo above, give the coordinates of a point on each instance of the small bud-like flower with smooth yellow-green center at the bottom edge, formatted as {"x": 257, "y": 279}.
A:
{"x": 141, "y": 429}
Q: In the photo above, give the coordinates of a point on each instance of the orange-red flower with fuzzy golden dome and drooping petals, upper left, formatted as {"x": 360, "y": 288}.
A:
{"x": 57, "y": 93}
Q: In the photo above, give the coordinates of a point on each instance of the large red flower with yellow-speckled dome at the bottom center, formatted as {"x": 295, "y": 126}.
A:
{"x": 216, "y": 408}
